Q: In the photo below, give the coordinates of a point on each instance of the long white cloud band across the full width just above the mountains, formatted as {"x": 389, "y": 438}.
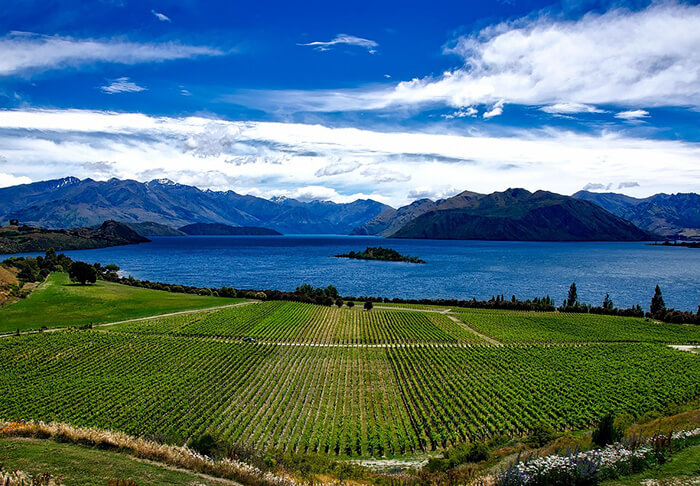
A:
{"x": 264, "y": 157}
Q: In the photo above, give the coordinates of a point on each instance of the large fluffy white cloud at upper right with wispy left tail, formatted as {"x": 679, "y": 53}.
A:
{"x": 625, "y": 58}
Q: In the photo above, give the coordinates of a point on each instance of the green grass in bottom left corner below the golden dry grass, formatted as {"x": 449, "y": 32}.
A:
{"x": 87, "y": 466}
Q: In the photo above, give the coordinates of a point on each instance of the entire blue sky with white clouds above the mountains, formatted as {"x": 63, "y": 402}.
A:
{"x": 331, "y": 100}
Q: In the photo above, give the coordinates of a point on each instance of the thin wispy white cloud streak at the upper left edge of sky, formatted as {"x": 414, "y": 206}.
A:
{"x": 26, "y": 52}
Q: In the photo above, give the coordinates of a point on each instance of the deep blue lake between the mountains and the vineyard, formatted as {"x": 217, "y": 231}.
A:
{"x": 454, "y": 269}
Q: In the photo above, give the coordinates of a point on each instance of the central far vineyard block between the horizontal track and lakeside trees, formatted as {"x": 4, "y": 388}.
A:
{"x": 292, "y": 322}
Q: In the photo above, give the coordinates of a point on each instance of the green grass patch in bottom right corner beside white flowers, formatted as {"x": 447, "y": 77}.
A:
{"x": 681, "y": 470}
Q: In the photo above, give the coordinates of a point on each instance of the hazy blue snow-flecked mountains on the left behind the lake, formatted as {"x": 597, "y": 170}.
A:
{"x": 71, "y": 202}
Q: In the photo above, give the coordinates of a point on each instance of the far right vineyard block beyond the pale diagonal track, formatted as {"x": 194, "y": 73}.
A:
{"x": 548, "y": 327}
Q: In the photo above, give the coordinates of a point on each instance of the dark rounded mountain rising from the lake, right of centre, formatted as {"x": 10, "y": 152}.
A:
{"x": 517, "y": 214}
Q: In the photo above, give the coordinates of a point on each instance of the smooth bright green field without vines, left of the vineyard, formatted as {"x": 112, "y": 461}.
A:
{"x": 57, "y": 302}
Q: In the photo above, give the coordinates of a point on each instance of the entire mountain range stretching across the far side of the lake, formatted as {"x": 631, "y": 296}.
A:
{"x": 158, "y": 206}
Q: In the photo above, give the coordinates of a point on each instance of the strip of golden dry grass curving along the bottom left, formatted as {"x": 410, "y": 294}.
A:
{"x": 145, "y": 449}
